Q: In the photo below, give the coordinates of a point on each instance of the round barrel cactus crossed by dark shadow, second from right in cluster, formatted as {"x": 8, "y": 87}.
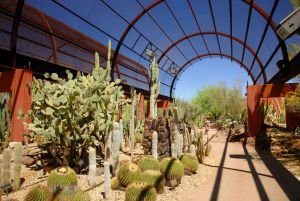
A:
{"x": 172, "y": 168}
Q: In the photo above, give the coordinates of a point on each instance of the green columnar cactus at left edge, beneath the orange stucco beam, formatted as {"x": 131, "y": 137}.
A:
{"x": 5, "y": 119}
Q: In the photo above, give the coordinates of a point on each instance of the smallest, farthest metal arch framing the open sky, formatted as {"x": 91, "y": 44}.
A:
{"x": 211, "y": 54}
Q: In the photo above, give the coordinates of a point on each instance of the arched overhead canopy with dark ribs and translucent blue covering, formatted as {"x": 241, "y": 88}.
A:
{"x": 180, "y": 32}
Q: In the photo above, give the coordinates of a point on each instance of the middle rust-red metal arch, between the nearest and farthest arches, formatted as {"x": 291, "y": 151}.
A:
{"x": 221, "y": 34}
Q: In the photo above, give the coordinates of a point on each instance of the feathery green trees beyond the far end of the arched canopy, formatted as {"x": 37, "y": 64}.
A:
{"x": 220, "y": 102}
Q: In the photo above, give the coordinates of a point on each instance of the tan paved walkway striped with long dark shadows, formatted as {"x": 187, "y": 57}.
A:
{"x": 244, "y": 174}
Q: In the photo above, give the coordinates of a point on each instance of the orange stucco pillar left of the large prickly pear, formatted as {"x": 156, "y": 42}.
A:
{"x": 19, "y": 83}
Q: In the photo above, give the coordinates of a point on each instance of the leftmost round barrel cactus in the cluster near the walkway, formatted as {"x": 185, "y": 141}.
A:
{"x": 128, "y": 173}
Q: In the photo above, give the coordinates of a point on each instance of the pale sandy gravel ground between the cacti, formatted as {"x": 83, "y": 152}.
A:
{"x": 34, "y": 177}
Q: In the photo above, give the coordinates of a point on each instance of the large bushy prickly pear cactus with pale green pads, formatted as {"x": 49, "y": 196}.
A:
{"x": 70, "y": 115}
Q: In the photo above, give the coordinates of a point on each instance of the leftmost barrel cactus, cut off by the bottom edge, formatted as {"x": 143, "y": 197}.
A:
{"x": 38, "y": 193}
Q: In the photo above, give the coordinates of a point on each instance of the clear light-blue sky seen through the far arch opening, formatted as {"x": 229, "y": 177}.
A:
{"x": 209, "y": 72}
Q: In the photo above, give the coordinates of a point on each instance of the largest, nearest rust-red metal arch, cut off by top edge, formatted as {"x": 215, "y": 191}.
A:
{"x": 261, "y": 11}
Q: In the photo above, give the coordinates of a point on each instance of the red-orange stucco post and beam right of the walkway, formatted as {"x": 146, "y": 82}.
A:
{"x": 255, "y": 93}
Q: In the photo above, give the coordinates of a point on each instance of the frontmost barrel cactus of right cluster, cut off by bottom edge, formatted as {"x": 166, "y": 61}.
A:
{"x": 140, "y": 191}
